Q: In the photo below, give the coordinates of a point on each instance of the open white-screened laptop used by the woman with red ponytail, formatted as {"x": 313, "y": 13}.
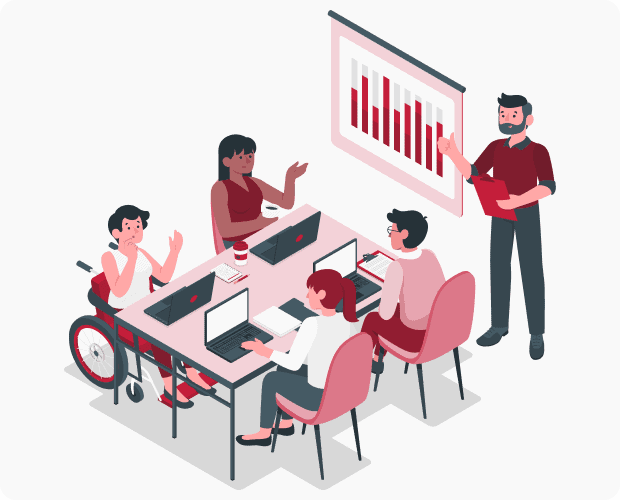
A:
{"x": 227, "y": 326}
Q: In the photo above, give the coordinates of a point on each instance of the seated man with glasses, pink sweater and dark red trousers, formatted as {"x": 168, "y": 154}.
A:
{"x": 411, "y": 283}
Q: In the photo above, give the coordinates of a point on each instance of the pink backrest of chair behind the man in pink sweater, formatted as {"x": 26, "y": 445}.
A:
{"x": 449, "y": 323}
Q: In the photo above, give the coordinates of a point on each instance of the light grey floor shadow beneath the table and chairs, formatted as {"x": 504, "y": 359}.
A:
{"x": 203, "y": 438}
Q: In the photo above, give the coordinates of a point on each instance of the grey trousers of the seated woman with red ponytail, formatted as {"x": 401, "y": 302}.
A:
{"x": 293, "y": 386}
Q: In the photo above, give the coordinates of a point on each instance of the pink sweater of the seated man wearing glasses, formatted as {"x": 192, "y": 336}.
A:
{"x": 413, "y": 280}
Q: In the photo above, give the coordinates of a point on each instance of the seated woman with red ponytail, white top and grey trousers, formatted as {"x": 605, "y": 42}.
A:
{"x": 302, "y": 371}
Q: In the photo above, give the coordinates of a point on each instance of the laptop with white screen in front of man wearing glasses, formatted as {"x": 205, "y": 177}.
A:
{"x": 344, "y": 260}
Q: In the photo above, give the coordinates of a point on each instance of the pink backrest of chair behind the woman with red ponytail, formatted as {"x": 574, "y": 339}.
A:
{"x": 348, "y": 378}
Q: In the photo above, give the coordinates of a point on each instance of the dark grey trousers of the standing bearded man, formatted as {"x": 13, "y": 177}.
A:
{"x": 527, "y": 230}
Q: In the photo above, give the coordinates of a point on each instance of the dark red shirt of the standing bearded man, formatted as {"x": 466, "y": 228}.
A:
{"x": 522, "y": 166}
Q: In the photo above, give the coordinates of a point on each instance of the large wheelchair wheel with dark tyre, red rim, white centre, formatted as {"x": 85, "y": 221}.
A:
{"x": 92, "y": 346}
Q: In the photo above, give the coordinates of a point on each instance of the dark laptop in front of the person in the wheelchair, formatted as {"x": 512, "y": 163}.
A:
{"x": 183, "y": 302}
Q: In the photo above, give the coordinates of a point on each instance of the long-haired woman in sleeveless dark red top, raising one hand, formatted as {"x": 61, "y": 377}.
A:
{"x": 237, "y": 197}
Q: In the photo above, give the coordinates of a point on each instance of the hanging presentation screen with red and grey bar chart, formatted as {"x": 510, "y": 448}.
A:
{"x": 388, "y": 109}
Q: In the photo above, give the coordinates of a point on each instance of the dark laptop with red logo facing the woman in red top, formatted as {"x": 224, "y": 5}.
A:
{"x": 288, "y": 241}
